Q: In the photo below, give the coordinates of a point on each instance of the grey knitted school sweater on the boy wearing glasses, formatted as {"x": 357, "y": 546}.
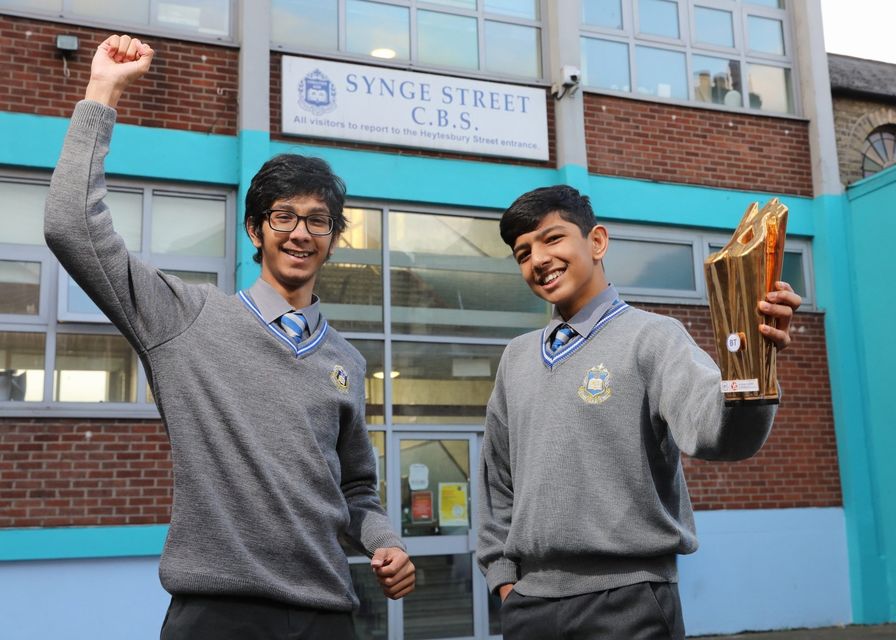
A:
{"x": 272, "y": 462}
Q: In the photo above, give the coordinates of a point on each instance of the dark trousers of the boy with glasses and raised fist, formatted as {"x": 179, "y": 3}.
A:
{"x": 235, "y": 618}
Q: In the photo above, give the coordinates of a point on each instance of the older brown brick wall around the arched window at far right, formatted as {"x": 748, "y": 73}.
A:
{"x": 854, "y": 119}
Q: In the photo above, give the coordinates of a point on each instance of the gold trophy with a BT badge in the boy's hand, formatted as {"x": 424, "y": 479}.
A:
{"x": 737, "y": 279}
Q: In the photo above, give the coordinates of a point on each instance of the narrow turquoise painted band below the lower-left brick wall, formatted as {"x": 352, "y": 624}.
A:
{"x": 81, "y": 542}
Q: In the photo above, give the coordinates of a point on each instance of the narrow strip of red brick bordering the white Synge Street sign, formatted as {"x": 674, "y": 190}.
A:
{"x": 277, "y": 131}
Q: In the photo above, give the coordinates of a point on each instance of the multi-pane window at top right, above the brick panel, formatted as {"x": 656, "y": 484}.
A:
{"x": 730, "y": 53}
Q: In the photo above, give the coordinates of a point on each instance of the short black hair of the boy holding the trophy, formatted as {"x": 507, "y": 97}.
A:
{"x": 527, "y": 211}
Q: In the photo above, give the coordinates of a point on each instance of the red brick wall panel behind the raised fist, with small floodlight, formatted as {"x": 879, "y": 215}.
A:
{"x": 181, "y": 91}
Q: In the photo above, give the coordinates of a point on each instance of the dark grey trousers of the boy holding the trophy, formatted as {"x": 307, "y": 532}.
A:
{"x": 643, "y": 611}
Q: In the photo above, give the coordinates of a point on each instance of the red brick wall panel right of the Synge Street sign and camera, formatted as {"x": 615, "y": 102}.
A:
{"x": 669, "y": 143}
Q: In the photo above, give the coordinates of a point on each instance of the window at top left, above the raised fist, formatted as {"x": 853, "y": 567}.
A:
{"x": 202, "y": 19}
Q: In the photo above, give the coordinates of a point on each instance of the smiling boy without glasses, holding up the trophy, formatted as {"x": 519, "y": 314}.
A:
{"x": 583, "y": 503}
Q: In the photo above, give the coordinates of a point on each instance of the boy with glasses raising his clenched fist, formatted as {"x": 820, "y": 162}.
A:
{"x": 263, "y": 401}
